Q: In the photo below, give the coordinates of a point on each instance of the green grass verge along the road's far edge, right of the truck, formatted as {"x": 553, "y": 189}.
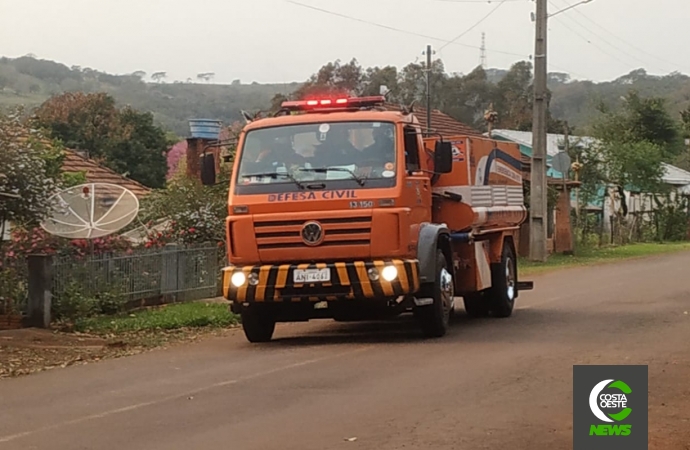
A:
{"x": 589, "y": 256}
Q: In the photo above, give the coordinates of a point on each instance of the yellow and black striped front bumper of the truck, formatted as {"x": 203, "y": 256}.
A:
{"x": 348, "y": 281}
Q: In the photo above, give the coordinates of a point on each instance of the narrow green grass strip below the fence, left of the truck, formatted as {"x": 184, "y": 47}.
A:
{"x": 167, "y": 318}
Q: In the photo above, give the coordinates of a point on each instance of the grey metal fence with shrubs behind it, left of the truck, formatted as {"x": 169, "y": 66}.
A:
{"x": 169, "y": 274}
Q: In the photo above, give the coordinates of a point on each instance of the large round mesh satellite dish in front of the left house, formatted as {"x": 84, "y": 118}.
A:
{"x": 90, "y": 211}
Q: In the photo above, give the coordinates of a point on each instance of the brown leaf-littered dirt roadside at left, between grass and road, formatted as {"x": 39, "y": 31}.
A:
{"x": 30, "y": 350}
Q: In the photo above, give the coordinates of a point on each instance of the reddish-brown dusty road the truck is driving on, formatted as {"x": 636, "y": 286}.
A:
{"x": 489, "y": 383}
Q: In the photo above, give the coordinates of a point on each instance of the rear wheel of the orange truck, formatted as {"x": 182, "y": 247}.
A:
{"x": 503, "y": 289}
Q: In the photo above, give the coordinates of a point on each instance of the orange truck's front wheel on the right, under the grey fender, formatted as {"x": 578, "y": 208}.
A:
{"x": 434, "y": 318}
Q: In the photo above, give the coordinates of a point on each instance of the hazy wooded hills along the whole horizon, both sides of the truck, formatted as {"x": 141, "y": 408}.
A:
{"x": 29, "y": 81}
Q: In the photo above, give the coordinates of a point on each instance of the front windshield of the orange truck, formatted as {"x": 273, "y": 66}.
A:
{"x": 338, "y": 155}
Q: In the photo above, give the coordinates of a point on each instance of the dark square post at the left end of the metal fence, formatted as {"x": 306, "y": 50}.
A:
{"x": 40, "y": 290}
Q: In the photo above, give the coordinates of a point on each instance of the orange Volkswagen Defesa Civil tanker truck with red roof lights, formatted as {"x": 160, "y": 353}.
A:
{"x": 341, "y": 209}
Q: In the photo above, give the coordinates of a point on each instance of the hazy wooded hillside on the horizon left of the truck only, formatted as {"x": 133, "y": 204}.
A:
{"x": 28, "y": 81}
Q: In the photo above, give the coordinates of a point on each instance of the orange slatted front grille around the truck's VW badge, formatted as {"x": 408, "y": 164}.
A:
{"x": 337, "y": 232}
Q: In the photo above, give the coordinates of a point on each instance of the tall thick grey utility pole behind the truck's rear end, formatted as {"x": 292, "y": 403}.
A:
{"x": 538, "y": 215}
